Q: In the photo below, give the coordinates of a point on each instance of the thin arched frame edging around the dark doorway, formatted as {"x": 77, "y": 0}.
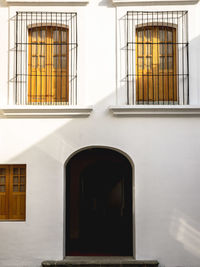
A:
{"x": 133, "y": 190}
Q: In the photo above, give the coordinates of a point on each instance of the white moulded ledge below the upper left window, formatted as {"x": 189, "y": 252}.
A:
{"x": 56, "y": 111}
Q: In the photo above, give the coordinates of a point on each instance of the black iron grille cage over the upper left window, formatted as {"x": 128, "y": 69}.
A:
{"x": 45, "y": 61}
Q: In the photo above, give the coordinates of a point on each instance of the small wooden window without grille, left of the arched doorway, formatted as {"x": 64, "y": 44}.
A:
{"x": 12, "y": 192}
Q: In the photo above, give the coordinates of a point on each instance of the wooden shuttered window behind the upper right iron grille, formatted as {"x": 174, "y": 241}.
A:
{"x": 156, "y": 64}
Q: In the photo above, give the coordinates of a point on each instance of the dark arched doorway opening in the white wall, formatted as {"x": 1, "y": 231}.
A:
{"x": 99, "y": 204}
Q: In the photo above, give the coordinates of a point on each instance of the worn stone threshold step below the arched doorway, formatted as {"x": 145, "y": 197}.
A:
{"x": 100, "y": 261}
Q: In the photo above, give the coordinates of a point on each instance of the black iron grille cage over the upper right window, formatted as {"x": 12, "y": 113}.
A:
{"x": 157, "y": 64}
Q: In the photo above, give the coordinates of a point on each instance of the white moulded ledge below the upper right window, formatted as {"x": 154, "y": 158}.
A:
{"x": 135, "y": 110}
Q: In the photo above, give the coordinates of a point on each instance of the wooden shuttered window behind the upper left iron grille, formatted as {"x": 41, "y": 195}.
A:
{"x": 48, "y": 65}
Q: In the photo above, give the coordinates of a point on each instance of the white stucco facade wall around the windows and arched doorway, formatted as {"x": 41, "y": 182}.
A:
{"x": 165, "y": 151}
